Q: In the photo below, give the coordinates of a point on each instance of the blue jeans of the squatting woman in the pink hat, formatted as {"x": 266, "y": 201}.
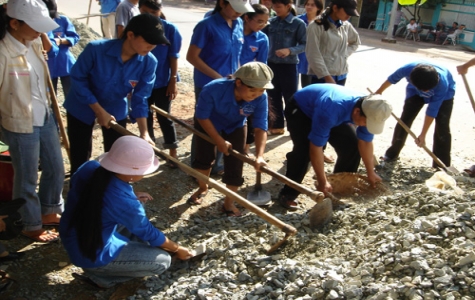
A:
{"x": 136, "y": 259}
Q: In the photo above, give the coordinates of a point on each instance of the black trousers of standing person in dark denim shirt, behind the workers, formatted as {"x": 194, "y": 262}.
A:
{"x": 285, "y": 83}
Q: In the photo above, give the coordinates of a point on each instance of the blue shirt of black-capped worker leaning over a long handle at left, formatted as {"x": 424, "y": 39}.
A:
{"x": 99, "y": 75}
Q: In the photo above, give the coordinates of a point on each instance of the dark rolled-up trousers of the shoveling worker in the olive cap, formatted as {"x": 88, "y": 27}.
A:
{"x": 205, "y": 155}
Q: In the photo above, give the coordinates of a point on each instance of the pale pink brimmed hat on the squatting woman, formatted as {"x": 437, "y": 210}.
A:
{"x": 130, "y": 155}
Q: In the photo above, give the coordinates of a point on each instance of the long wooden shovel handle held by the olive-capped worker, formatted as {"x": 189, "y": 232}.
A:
{"x": 314, "y": 195}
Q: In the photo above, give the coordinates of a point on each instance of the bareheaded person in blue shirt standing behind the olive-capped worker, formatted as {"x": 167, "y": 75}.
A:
{"x": 255, "y": 48}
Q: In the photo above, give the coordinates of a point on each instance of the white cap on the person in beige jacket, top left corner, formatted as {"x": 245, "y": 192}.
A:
{"x": 33, "y": 12}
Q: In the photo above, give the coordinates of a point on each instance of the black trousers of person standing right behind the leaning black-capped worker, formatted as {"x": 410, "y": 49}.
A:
{"x": 162, "y": 101}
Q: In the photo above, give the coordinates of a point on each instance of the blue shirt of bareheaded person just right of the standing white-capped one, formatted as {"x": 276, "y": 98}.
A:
{"x": 255, "y": 48}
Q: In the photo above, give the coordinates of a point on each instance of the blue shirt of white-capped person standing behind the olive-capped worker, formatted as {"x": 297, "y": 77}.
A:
{"x": 220, "y": 46}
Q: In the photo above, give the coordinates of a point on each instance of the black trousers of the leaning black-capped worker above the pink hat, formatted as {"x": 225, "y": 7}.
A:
{"x": 80, "y": 140}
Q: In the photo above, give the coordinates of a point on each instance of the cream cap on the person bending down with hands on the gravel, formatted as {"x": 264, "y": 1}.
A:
{"x": 377, "y": 111}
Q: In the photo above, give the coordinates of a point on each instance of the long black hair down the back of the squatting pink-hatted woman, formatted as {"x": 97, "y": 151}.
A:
{"x": 87, "y": 215}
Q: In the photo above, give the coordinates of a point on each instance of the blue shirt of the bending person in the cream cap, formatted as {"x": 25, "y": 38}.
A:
{"x": 329, "y": 105}
